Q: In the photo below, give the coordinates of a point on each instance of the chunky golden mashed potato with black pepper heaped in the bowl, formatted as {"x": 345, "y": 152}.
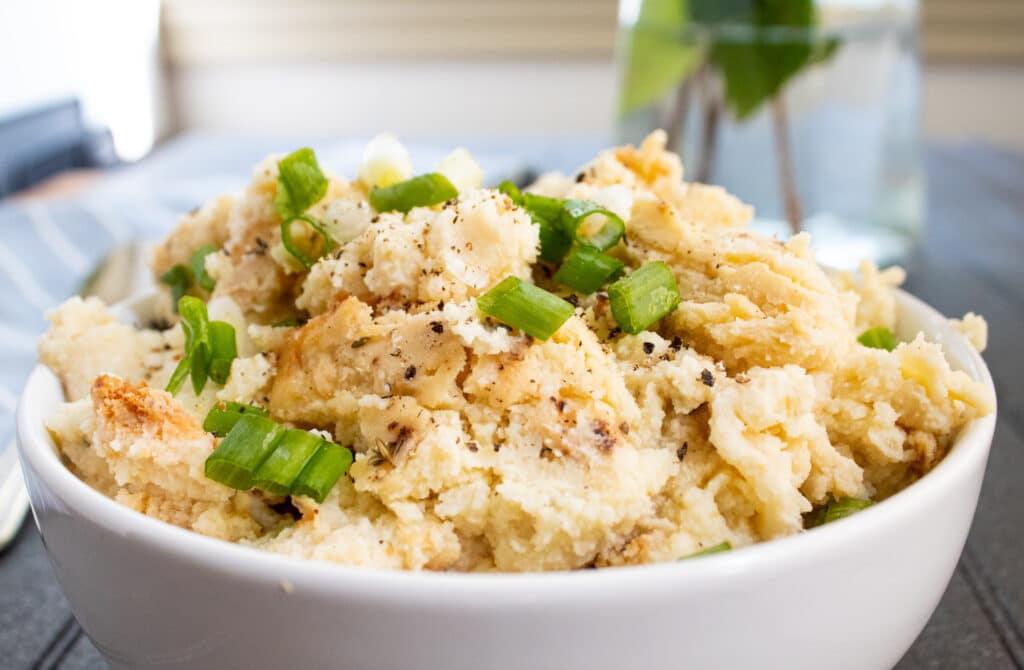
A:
{"x": 479, "y": 448}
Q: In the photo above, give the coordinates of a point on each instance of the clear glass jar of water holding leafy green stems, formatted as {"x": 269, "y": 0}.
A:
{"x": 807, "y": 110}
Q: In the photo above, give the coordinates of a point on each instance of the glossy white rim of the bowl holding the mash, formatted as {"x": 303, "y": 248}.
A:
{"x": 967, "y": 456}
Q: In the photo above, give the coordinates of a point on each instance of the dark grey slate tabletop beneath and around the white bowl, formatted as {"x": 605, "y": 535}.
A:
{"x": 970, "y": 262}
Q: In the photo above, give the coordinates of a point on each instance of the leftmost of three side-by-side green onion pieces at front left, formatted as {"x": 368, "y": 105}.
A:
{"x": 240, "y": 455}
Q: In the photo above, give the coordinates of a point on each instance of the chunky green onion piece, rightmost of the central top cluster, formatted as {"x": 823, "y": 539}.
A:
{"x": 645, "y": 298}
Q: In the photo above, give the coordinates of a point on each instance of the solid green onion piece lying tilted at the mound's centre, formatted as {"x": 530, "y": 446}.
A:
{"x": 526, "y": 307}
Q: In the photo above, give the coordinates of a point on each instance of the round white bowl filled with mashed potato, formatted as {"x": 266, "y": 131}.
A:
{"x": 854, "y": 595}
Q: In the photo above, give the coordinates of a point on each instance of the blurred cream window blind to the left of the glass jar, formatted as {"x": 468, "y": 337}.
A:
{"x": 261, "y": 31}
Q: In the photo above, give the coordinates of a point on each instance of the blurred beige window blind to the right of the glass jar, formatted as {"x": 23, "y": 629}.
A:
{"x": 973, "y": 30}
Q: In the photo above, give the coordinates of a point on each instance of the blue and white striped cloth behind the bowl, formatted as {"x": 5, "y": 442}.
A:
{"x": 49, "y": 248}
